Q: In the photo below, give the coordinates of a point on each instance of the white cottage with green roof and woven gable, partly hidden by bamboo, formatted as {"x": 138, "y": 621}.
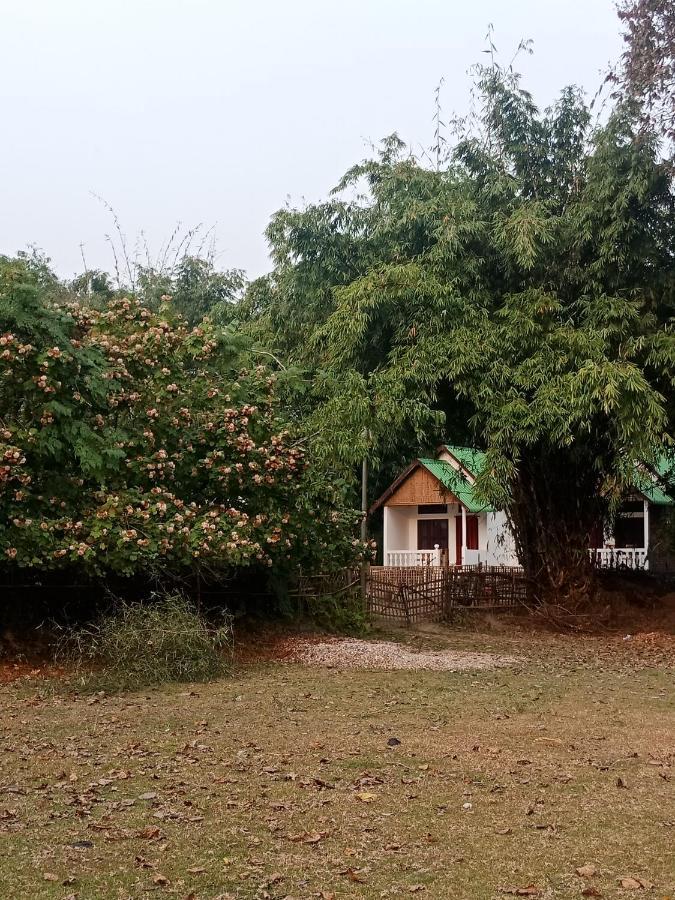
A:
{"x": 432, "y": 517}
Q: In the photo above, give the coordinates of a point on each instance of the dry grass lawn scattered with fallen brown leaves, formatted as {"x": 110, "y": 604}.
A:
{"x": 280, "y": 782}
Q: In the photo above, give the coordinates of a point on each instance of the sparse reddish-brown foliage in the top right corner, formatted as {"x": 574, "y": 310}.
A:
{"x": 647, "y": 75}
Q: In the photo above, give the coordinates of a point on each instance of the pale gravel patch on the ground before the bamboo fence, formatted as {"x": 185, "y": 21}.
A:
{"x": 352, "y": 653}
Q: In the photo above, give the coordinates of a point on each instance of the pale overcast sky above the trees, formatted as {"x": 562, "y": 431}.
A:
{"x": 220, "y": 111}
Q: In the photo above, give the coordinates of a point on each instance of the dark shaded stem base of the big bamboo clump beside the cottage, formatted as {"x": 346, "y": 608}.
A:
{"x": 555, "y": 508}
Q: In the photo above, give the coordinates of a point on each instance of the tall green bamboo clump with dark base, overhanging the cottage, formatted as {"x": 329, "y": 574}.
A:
{"x": 524, "y": 292}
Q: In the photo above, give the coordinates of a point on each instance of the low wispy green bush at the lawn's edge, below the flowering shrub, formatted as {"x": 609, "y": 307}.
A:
{"x": 159, "y": 641}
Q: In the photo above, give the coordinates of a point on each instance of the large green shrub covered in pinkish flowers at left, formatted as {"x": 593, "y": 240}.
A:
{"x": 131, "y": 443}
